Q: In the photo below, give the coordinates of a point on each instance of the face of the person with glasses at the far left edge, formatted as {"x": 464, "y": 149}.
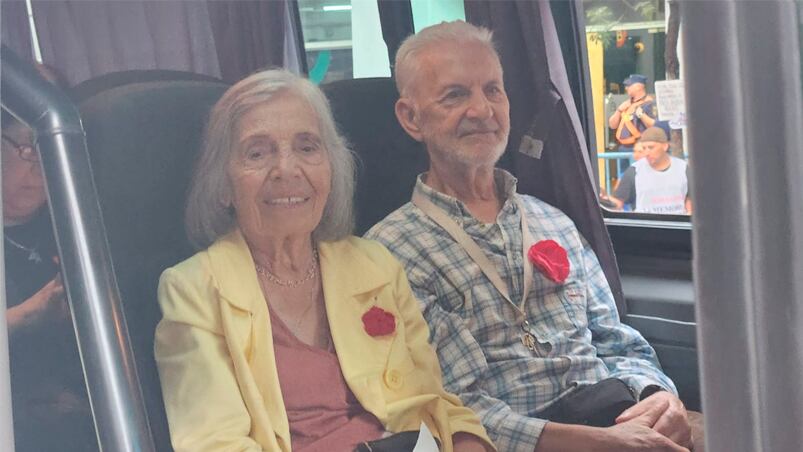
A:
{"x": 23, "y": 185}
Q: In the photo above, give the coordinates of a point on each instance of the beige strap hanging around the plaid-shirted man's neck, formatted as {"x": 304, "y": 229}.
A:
{"x": 475, "y": 252}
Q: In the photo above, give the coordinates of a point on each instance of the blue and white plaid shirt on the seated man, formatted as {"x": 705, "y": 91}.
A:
{"x": 476, "y": 333}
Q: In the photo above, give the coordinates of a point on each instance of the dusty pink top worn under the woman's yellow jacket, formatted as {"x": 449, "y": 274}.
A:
{"x": 323, "y": 413}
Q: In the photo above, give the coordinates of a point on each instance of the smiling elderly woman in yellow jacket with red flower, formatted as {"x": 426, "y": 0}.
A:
{"x": 286, "y": 332}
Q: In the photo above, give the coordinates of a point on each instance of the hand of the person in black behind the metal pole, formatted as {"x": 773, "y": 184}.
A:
{"x": 48, "y": 304}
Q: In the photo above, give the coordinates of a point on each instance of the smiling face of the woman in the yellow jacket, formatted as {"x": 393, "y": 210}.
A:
{"x": 279, "y": 169}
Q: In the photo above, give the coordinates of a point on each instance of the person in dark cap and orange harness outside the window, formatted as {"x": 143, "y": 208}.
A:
{"x": 634, "y": 115}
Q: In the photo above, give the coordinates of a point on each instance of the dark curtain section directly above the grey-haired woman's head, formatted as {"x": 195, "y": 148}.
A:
{"x": 249, "y": 35}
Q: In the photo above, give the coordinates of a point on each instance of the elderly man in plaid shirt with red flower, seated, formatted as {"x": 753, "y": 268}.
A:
{"x": 520, "y": 312}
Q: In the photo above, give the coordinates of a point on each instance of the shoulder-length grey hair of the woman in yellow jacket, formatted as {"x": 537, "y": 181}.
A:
{"x": 210, "y": 213}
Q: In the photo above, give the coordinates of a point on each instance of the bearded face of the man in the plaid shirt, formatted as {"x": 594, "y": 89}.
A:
{"x": 456, "y": 104}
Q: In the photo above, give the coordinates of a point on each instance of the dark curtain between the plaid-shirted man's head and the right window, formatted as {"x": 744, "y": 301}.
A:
{"x": 547, "y": 149}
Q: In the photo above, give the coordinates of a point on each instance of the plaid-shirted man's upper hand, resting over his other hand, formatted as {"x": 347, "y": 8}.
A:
{"x": 669, "y": 413}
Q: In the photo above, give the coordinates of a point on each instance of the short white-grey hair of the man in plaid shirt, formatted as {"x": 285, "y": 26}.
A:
{"x": 459, "y": 31}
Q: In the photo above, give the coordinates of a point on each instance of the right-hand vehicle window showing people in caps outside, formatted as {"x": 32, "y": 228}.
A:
{"x": 636, "y": 86}
